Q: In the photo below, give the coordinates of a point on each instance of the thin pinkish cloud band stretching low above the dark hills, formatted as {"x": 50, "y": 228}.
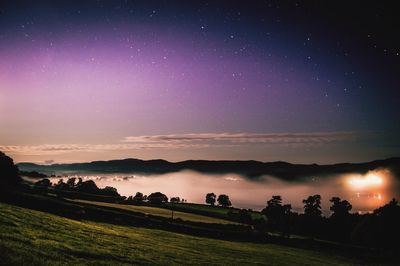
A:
{"x": 193, "y": 141}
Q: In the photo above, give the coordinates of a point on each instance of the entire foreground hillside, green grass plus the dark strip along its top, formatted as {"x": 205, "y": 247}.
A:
{"x": 48, "y": 230}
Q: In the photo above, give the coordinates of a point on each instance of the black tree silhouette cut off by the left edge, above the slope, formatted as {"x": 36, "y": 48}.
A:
{"x": 8, "y": 172}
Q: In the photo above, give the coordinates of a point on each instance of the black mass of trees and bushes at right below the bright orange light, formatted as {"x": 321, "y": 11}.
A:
{"x": 379, "y": 228}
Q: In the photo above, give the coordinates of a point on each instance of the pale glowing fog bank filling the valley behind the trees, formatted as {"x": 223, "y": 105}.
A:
{"x": 245, "y": 193}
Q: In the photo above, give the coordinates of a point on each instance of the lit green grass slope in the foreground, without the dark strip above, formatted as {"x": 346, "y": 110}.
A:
{"x": 30, "y": 237}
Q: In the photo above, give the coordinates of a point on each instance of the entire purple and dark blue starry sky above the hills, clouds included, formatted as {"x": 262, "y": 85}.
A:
{"x": 299, "y": 81}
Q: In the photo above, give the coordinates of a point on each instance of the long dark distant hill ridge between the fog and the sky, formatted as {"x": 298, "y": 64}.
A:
{"x": 251, "y": 169}
